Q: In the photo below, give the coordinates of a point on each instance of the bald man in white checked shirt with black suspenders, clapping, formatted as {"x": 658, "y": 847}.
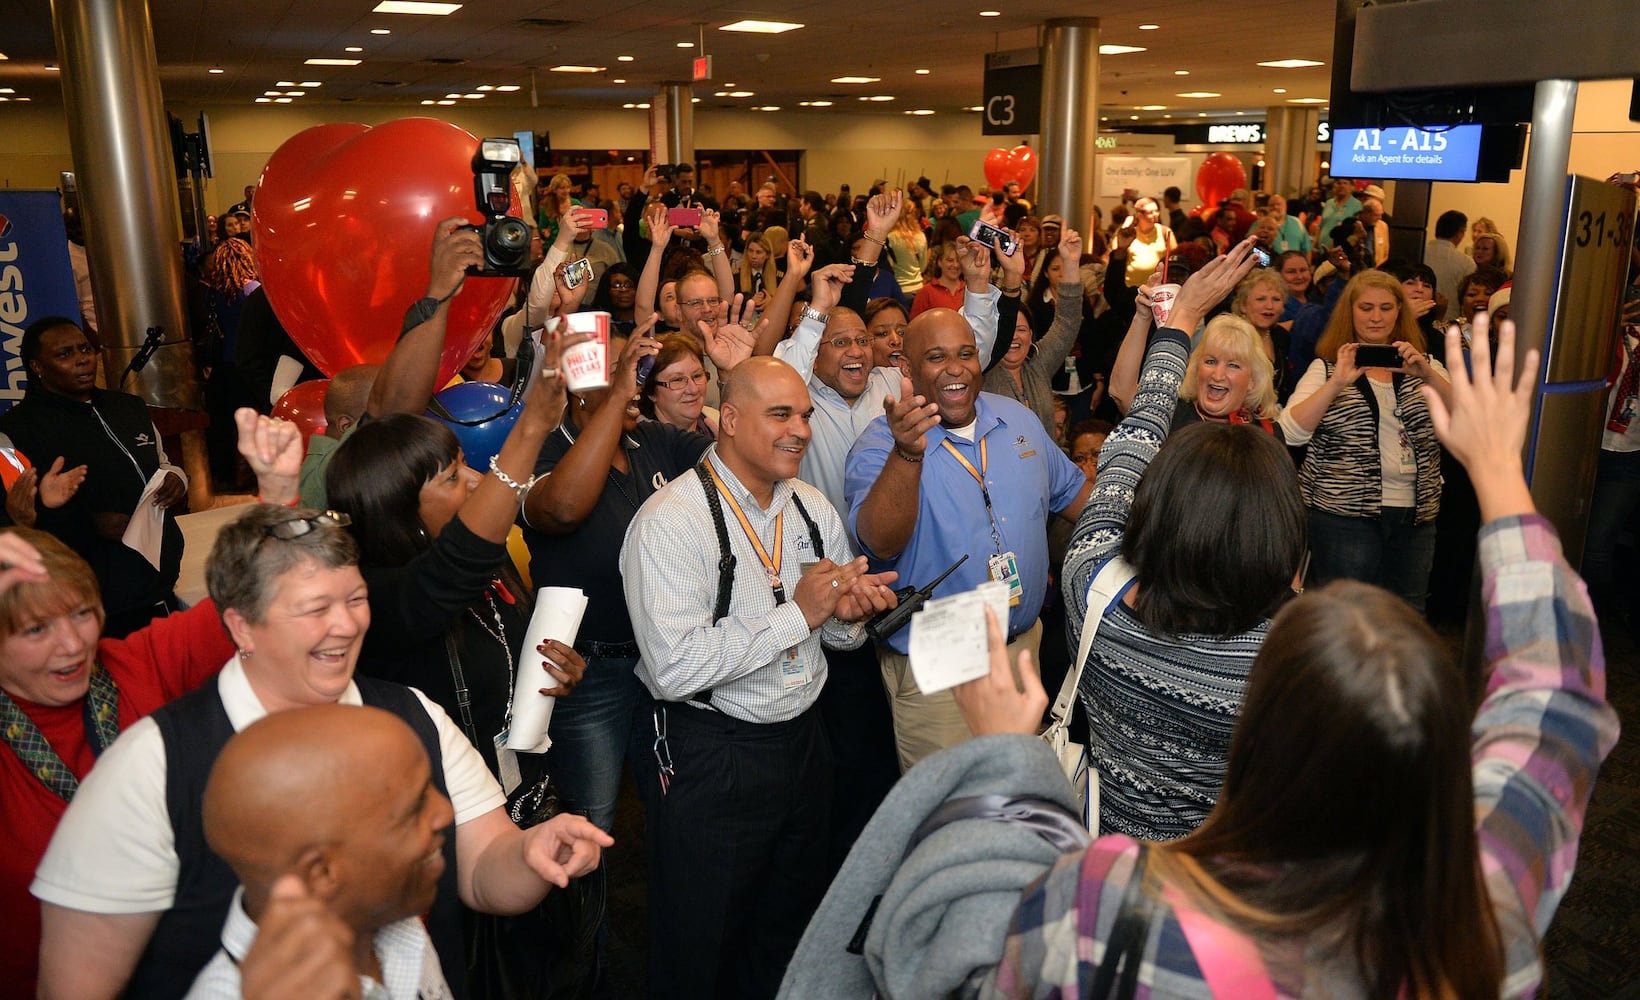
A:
{"x": 734, "y": 655}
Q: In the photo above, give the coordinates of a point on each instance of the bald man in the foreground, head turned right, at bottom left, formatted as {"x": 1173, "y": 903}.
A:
{"x": 342, "y": 799}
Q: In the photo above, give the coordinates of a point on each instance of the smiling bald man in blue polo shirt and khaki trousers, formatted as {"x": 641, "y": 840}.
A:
{"x": 950, "y": 471}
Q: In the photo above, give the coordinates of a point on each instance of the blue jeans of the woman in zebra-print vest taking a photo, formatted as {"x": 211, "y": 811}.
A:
{"x": 1388, "y": 552}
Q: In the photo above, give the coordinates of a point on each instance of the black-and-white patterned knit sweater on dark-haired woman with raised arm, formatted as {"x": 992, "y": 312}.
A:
{"x": 1160, "y": 709}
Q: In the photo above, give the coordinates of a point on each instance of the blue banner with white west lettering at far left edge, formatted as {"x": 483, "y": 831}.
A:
{"x": 35, "y": 278}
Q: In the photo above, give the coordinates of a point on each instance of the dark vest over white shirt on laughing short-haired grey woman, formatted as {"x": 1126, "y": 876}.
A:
{"x": 196, "y": 729}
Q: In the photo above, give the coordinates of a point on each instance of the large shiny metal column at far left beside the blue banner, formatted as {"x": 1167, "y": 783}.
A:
{"x": 129, "y": 194}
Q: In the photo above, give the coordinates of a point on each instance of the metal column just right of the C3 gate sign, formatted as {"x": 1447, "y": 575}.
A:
{"x": 1070, "y": 119}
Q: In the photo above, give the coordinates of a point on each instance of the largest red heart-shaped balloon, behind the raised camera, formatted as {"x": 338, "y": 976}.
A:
{"x": 345, "y": 219}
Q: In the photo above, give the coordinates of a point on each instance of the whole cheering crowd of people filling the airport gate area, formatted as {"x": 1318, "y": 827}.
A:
{"x": 816, "y": 404}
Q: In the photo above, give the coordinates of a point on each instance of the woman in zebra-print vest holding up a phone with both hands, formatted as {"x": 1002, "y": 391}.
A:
{"x": 1372, "y": 475}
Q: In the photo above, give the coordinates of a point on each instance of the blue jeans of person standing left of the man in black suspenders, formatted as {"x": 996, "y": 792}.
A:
{"x": 593, "y": 734}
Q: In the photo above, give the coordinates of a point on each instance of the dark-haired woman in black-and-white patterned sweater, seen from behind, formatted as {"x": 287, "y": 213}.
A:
{"x": 1214, "y": 530}
